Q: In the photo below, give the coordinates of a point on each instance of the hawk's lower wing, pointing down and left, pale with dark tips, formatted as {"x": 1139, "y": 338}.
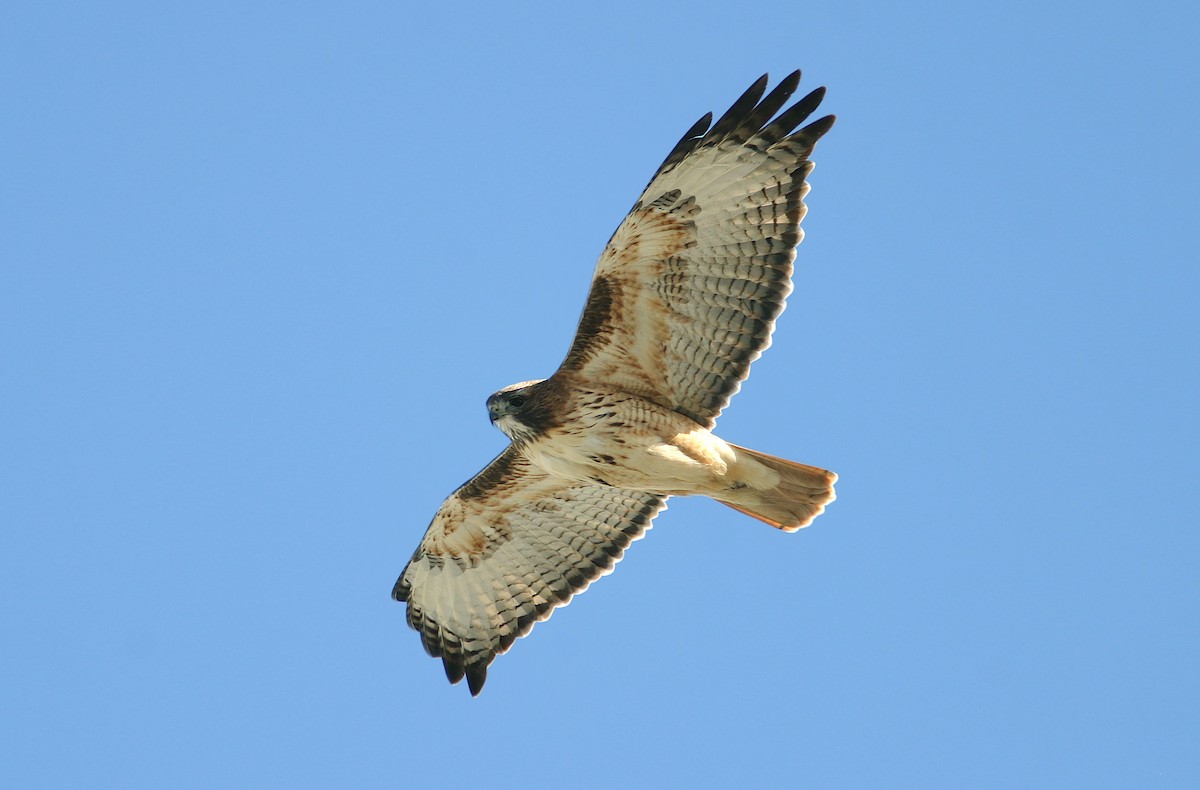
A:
{"x": 505, "y": 550}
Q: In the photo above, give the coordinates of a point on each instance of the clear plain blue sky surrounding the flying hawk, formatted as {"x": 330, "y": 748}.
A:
{"x": 262, "y": 265}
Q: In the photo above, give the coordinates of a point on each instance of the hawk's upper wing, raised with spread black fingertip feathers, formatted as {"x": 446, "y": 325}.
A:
{"x": 687, "y": 292}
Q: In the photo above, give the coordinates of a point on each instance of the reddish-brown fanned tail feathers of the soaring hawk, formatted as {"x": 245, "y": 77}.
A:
{"x": 800, "y": 496}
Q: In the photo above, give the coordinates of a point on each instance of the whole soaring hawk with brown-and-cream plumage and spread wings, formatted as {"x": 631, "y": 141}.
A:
{"x": 685, "y": 297}
